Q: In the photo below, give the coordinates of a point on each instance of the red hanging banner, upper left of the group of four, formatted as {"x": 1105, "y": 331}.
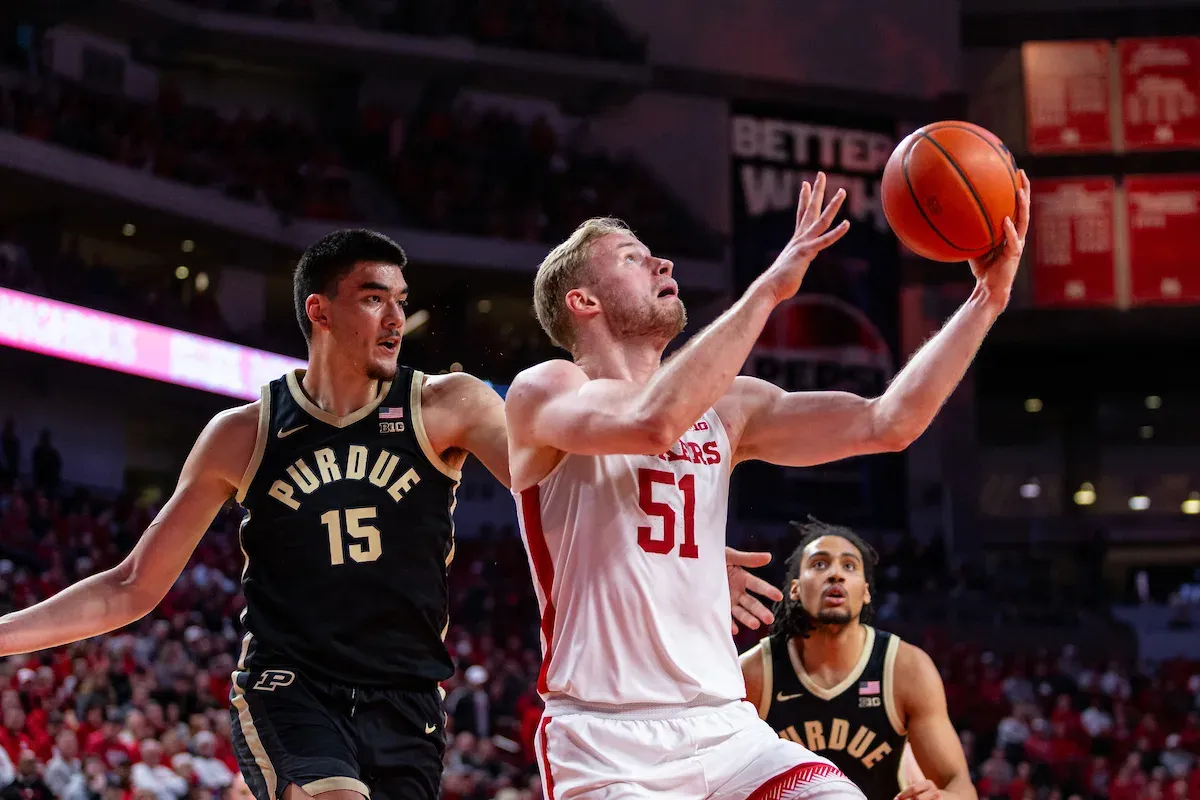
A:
{"x": 1067, "y": 103}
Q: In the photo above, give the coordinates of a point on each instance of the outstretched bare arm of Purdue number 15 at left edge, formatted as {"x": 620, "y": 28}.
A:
{"x": 124, "y": 594}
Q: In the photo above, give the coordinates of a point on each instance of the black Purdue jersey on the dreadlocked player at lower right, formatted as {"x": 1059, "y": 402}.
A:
{"x": 855, "y": 725}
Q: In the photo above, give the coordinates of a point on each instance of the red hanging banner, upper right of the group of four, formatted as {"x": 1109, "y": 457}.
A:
{"x": 1160, "y": 91}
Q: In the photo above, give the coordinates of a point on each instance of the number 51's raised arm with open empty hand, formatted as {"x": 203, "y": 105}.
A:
{"x": 556, "y": 406}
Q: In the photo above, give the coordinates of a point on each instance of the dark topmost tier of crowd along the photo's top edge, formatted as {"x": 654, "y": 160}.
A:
{"x": 577, "y": 28}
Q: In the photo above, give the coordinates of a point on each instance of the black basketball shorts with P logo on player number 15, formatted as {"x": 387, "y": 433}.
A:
{"x": 292, "y": 729}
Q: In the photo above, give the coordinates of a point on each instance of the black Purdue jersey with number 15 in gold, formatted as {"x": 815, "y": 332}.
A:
{"x": 347, "y": 538}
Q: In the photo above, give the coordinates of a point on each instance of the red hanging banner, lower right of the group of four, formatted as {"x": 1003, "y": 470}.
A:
{"x": 1165, "y": 238}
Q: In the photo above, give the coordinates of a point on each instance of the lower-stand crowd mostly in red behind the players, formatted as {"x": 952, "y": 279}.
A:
{"x": 143, "y": 714}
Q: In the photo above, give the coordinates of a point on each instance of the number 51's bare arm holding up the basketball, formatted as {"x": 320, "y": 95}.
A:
{"x": 807, "y": 429}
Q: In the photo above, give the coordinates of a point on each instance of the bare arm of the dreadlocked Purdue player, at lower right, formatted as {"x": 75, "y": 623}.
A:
{"x": 921, "y": 702}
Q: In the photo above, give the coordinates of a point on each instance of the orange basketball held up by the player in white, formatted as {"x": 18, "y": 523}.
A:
{"x": 947, "y": 190}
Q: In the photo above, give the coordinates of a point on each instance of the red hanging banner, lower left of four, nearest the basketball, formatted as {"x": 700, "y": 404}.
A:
{"x": 1073, "y": 255}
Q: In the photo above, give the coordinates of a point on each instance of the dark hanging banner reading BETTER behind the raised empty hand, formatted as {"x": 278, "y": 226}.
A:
{"x": 841, "y": 333}
